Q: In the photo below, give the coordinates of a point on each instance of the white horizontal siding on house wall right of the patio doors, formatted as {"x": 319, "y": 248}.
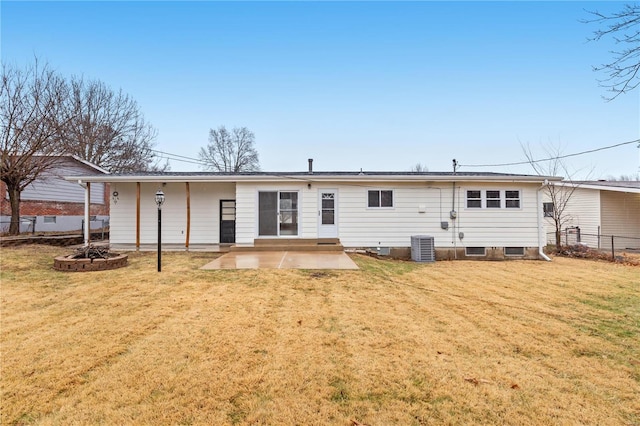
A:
{"x": 361, "y": 226}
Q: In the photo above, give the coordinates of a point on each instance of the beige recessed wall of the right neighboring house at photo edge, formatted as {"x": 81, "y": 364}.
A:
{"x": 620, "y": 213}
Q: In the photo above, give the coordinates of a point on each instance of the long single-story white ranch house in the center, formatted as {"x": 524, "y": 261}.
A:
{"x": 479, "y": 215}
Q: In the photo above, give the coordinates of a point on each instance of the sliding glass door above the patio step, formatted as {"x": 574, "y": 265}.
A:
{"x": 277, "y": 213}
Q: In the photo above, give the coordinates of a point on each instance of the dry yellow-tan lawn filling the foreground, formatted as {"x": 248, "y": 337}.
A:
{"x": 394, "y": 343}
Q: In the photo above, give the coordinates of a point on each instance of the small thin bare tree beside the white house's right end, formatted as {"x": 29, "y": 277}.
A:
{"x": 558, "y": 195}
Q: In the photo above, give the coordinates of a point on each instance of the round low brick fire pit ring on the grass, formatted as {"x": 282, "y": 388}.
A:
{"x": 91, "y": 258}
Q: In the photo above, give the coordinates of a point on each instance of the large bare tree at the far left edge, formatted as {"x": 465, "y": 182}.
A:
{"x": 31, "y": 120}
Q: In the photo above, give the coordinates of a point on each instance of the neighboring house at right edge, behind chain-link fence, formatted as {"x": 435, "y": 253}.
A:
{"x": 600, "y": 209}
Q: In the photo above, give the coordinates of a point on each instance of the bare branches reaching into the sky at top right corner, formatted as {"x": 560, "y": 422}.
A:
{"x": 623, "y": 72}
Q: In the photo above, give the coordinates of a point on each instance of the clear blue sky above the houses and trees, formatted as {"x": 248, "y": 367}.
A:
{"x": 371, "y": 85}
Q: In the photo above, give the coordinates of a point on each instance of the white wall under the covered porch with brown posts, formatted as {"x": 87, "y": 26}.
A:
{"x": 205, "y": 213}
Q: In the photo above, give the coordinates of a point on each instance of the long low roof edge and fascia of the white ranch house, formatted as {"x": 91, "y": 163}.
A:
{"x": 313, "y": 176}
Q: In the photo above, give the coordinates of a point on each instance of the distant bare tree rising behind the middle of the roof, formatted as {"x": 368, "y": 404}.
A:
{"x": 230, "y": 151}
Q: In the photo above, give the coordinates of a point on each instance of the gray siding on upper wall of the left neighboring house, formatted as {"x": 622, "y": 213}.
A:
{"x": 52, "y": 187}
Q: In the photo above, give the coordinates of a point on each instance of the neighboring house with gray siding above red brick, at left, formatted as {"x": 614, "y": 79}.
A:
{"x": 52, "y": 203}
